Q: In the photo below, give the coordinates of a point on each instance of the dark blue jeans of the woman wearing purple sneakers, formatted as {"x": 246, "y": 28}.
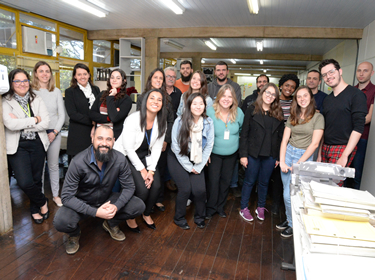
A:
{"x": 257, "y": 169}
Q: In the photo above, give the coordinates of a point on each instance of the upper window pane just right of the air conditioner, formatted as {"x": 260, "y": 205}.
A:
{"x": 72, "y": 43}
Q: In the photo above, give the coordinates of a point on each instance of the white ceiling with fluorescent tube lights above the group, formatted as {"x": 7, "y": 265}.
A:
{"x": 219, "y": 13}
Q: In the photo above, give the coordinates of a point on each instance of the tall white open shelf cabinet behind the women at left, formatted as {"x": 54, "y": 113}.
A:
{"x": 132, "y": 61}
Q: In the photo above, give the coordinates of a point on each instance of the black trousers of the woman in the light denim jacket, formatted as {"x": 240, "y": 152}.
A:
{"x": 187, "y": 184}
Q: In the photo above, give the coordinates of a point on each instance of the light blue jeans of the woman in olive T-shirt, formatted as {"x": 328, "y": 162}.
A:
{"x": 292, "y": 156}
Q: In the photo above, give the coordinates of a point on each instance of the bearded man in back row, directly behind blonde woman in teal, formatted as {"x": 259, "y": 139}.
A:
{"x": 221, "y": 72}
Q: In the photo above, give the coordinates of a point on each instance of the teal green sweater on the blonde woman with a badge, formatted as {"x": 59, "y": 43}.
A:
{"x": 226, "y": 147}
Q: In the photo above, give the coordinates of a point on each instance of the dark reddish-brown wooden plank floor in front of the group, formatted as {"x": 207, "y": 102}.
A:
{"x": 228, "y": 248}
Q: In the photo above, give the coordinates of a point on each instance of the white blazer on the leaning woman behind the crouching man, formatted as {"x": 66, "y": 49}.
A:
{"x": 132, "y": 137}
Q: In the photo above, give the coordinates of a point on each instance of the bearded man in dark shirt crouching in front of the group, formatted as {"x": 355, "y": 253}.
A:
{"x": 87, "y": 190}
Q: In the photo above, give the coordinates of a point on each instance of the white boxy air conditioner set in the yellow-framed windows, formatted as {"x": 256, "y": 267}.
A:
{"x": 36, "y": 41}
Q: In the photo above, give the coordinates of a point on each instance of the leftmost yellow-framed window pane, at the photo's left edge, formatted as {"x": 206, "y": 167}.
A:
{"x": 7, "y": 30}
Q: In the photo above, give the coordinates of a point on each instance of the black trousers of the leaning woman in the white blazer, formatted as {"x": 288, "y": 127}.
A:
{"x": 149, "y": 196}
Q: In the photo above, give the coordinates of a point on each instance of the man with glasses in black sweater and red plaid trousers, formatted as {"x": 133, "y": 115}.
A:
{"x": 344, "y": 112}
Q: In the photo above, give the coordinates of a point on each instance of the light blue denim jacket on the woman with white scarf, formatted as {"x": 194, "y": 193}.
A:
{"x": 207, "y": 145}
